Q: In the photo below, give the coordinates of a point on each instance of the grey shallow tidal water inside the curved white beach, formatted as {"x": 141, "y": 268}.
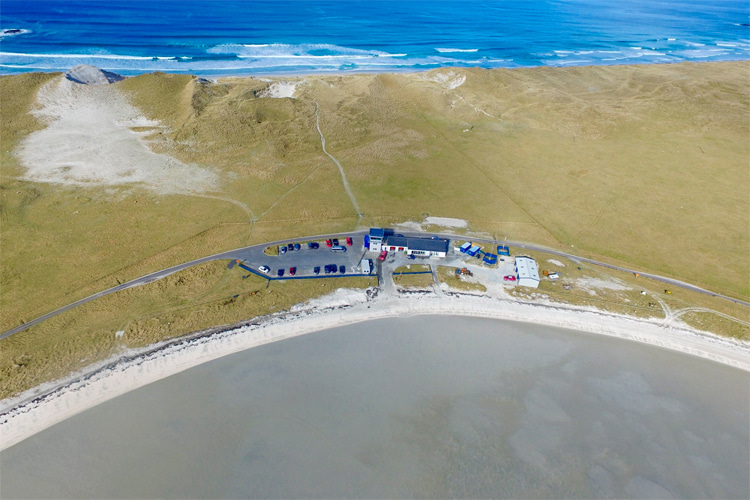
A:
{"x": 421, "y": 406}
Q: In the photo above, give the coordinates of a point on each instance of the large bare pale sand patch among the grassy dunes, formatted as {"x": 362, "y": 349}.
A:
{"x": 90, "y": 141}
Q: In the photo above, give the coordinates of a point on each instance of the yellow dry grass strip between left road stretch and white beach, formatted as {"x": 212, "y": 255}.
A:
{"x": 203, "y": 296}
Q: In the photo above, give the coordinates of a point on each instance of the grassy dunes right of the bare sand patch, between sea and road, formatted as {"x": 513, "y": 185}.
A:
{"x": 639, "y": 164}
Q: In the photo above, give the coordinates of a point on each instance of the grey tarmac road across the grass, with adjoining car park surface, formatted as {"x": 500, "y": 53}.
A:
{"x": 305, "y": 260}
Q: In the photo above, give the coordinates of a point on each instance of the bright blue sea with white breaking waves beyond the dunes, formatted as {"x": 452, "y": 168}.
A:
{"x": 306, "y": 36}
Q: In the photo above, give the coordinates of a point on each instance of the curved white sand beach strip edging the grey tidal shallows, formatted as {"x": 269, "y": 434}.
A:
{"x": 341, "y": 308}
